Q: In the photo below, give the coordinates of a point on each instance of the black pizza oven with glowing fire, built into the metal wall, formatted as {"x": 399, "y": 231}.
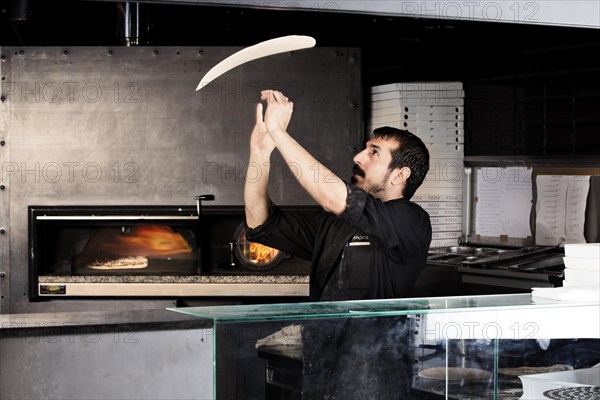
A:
{"x": 147, "y": 251}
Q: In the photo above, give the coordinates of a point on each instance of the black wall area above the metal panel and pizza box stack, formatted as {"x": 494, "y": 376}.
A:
{"x": 530, "y": 90}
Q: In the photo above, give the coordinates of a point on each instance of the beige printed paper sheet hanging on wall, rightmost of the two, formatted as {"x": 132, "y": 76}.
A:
{"x": 560, "y": 209}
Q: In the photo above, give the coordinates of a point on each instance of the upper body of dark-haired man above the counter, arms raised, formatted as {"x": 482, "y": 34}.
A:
{"x": 374, "y": 208}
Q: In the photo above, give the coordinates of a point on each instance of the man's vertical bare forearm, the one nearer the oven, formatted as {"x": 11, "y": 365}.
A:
{"x": 256, "y": 189}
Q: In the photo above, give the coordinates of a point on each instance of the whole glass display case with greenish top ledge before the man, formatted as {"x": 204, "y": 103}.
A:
{"x": 473, "y": 347}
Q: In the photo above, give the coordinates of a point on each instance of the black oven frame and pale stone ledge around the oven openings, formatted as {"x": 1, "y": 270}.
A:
{"x": 202, "y": 285}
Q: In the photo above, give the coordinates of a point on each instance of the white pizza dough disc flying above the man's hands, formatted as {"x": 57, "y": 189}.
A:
{"x": 262, "y": 49}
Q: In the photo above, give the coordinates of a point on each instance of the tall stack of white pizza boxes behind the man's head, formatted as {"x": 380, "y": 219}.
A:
{"x": 434, "y": 111}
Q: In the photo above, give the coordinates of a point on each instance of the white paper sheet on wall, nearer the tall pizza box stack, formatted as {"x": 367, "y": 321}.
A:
{"x": 504, "y": 198}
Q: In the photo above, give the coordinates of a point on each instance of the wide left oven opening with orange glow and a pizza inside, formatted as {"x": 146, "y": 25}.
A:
{"x": 93, "y": 242}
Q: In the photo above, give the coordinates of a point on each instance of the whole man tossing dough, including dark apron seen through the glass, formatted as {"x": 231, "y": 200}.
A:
{"x": 369, "y": 241}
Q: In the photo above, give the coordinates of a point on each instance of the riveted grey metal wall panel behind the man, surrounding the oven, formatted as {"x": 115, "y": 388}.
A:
{"x": 124, "y": 125}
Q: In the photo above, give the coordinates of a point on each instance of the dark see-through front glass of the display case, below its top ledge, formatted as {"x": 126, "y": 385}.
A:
{"x": 385, "y": 357}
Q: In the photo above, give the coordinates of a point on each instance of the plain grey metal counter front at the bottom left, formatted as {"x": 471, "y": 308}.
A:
{"x": 166, "y": 365}
